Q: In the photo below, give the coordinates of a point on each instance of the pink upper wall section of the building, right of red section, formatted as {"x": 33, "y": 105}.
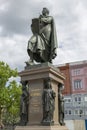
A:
{"x": 78, "y": 77}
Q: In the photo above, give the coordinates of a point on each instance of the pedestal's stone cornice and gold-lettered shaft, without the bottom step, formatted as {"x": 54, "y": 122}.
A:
{"x": 36, "y": 76}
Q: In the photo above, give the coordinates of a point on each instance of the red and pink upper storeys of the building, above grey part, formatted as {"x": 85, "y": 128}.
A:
{"x": 76, "y": 77}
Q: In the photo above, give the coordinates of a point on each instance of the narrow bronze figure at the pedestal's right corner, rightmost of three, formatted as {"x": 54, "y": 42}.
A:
{"x": 61, "y": 104}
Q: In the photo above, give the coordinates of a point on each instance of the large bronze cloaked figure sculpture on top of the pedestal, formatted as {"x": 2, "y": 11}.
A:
{"x": 43, "y": 44}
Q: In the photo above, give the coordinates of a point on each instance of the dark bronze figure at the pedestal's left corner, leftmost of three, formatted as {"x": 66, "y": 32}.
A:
{"x": 24, "y": 104}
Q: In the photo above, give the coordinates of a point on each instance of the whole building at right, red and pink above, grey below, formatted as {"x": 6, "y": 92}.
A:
{"x": 75, "y": 91}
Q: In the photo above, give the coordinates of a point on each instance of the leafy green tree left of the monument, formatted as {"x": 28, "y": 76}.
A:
{"x": 9, "y": 94}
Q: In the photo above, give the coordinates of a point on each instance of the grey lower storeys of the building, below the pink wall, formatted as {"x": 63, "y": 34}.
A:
{"x": 75, "y": 107}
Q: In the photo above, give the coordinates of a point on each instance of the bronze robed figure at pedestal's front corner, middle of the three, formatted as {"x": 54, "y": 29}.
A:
{"x": 48, "y": 103}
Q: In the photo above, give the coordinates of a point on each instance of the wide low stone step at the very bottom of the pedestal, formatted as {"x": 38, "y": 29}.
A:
{"x": 55, "y": 127}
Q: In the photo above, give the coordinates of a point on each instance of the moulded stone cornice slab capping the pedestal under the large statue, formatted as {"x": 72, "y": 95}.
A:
{"x": 41, "y": 71}
